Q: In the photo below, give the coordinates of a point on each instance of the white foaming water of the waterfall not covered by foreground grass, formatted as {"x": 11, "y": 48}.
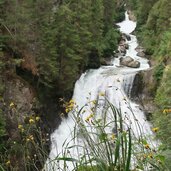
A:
{"x": 116, "y": 83}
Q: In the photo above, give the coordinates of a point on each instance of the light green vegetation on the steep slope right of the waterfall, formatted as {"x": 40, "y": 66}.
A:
{"x": 154, "y": 23}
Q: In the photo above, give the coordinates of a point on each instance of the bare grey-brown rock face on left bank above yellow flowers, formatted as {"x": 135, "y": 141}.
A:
{"x": 21, "y": 95}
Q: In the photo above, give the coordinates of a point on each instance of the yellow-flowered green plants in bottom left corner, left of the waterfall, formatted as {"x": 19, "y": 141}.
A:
{"x": 28, "y": 148}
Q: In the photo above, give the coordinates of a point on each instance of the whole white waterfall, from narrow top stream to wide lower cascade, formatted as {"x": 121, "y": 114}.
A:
{"x": 113, "y": 83}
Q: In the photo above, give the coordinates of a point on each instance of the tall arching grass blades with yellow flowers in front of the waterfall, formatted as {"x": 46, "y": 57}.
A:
{"x": 107, "y": 142}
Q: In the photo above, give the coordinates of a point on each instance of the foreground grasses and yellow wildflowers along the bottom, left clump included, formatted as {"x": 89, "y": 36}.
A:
{"x": 108, "y": 143}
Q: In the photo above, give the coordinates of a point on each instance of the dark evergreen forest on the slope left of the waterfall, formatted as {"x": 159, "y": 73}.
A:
{"x": 47, "y": 45}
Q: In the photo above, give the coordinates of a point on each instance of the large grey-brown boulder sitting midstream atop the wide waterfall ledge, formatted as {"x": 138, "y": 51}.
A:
{"x": 129, "y": 62}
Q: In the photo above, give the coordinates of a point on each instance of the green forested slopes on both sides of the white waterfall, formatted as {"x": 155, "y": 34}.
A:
{"x": 45, "y": 46}
